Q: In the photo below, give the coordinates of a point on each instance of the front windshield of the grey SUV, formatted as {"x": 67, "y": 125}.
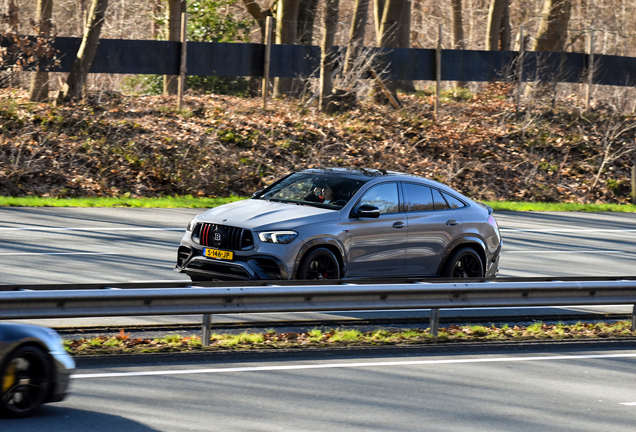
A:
{"x": 321, "y": 190}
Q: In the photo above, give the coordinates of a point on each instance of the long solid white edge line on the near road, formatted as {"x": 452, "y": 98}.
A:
{"x": 350, "y": 365}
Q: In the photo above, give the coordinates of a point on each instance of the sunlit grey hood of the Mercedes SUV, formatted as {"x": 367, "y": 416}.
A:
{"x": 260, "y": 214}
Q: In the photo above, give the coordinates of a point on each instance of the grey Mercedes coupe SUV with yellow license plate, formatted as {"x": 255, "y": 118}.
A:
{"x": 343, "y": 223}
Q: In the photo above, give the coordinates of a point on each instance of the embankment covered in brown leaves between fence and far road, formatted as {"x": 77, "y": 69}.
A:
{"x": 114, "y": 145}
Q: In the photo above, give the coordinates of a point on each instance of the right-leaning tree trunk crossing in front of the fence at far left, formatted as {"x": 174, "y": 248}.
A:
{"x": 76, "y": 81}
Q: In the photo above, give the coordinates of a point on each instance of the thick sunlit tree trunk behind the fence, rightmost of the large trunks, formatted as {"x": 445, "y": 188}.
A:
{"x": 552, "y": 32}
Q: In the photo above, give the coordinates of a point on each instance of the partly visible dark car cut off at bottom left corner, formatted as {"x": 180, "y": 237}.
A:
{"x": 34, "y": 367}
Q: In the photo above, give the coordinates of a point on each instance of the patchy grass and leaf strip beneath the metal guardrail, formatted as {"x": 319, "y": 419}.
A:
{"x": 122, "y": 343}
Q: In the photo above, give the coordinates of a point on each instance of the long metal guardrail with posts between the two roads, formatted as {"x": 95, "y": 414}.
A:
{"x": 309, "y": 297}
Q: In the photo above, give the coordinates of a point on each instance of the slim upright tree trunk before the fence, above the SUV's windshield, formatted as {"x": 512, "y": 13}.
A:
{"x": 327, "y": 56}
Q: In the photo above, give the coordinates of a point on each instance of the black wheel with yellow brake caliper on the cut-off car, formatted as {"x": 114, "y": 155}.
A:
{"x": 26, "y": 379}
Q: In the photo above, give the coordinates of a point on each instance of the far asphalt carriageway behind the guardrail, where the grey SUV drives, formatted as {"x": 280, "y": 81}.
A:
{"x": 83, "y": 245}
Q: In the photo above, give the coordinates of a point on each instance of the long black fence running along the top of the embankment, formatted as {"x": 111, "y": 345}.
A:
{"x": 121, "y": 56}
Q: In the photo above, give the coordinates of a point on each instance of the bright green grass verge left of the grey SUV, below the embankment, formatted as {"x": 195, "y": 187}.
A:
{"x": 187, "y": 201}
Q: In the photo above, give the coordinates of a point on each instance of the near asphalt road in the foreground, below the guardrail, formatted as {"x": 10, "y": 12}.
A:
{"x": 513, "y": 388}
